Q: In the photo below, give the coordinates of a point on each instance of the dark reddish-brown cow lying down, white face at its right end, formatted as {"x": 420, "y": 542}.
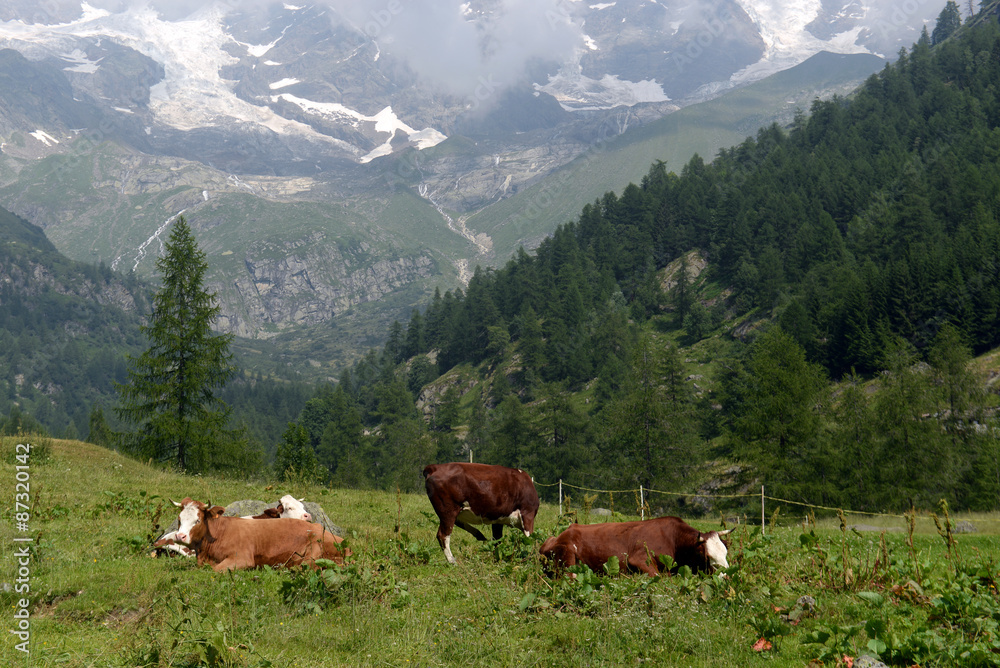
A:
{"x": 638, "y": 546}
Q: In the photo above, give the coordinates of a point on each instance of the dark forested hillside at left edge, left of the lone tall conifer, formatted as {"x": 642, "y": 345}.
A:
{"x": 65, "y": 328}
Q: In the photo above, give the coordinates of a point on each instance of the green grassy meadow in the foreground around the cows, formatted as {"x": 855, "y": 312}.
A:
{"x": 98, "y": 599}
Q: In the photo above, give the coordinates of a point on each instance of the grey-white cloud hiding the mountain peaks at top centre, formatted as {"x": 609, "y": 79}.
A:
{"x": 457, "y": 48}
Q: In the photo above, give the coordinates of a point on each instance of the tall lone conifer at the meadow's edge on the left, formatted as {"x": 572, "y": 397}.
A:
{"x": 170, "y": 393}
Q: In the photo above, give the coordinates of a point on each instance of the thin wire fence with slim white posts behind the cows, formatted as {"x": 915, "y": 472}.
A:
{"x": 643, "y": 495}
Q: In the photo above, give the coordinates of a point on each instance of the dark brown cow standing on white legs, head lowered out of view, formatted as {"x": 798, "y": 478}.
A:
{"x": 465, "y": 494}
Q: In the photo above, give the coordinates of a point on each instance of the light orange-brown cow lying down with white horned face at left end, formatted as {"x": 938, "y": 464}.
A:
{"x": 230, "y": 543}
